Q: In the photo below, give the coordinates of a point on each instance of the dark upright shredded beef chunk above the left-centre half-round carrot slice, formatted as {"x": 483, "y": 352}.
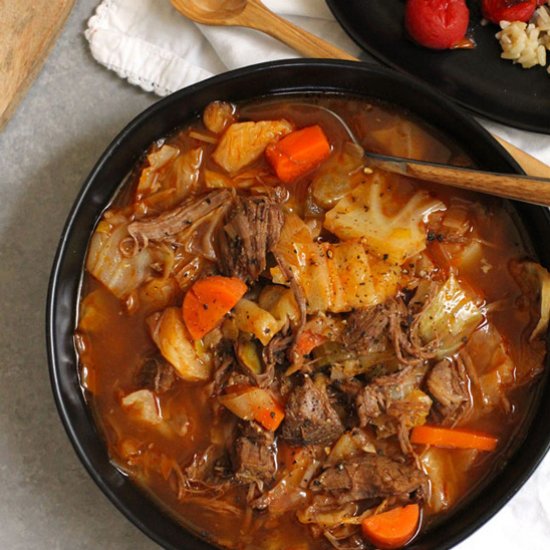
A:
{"x": 252, "y": 230}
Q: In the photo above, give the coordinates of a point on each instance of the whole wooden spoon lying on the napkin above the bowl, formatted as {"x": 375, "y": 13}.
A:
{"x": 254, "y": 15}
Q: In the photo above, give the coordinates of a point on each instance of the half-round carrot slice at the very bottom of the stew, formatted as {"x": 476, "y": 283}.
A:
{"x": 392, "y": 529}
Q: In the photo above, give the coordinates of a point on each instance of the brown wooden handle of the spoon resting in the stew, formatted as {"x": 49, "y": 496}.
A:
{"x": 510, "y": 186}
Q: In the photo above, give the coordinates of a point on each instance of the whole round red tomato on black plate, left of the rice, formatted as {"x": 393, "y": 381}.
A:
{"x": 437, "y": 24}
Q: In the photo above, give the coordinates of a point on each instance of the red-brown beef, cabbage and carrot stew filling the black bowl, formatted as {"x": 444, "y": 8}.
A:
{"x": 277, "y": 343}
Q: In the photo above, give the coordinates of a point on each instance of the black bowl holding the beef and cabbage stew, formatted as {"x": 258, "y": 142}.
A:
{"x": 298, "y": 76}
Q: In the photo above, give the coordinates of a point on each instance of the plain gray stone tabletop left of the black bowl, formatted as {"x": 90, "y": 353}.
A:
{"x": 69, "y": 116}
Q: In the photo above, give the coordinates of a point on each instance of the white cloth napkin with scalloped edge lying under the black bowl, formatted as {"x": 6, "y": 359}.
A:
{"x": 151, "y": 45}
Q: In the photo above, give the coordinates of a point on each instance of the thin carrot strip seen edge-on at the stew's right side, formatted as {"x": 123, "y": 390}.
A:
{"x": 453, "y": 438}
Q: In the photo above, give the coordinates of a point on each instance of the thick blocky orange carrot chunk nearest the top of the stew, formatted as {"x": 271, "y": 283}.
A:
{"x": 298, "y": 152}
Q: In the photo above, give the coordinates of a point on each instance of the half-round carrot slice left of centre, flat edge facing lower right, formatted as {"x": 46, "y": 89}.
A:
{"x": 208, "y": 300}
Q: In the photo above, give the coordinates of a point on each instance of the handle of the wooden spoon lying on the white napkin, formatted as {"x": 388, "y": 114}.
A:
{"x": 257, "y": 16}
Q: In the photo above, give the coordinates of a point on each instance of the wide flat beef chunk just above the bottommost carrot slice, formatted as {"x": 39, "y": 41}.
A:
{"x": 371, "y": 476}
